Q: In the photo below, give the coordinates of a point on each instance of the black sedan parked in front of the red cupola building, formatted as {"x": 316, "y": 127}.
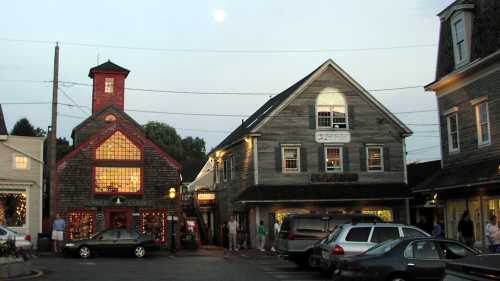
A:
{"x": 121, "y": 241}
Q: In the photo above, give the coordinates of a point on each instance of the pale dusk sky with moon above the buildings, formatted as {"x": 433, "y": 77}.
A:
{"x": 84, "y": 27}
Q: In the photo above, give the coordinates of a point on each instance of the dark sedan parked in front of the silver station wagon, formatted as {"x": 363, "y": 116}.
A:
{"x": 403, "y": 259}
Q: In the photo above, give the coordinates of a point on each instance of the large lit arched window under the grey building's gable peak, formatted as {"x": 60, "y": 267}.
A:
{"x": 331, "y": 109}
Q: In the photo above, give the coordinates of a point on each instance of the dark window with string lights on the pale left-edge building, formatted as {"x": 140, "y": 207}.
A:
{"x": 13, "y": 209}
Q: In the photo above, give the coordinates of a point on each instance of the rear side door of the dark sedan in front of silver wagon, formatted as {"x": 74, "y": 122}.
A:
{"x": 423, "y": 260}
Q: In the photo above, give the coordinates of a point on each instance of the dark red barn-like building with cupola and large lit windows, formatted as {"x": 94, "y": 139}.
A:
{"x": 115, "y": 177}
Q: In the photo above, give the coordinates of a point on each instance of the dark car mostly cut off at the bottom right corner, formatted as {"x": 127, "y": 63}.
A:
{"x": 475, "y": 268}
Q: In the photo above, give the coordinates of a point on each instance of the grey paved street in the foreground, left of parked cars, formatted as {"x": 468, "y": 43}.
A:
{"x": 212, "y": 266}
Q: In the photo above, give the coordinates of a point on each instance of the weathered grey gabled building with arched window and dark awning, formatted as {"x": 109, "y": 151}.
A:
{"x": 322, "y": 145}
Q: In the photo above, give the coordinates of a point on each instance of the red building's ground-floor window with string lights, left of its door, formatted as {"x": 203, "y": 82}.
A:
{"x": 80, "y": 224}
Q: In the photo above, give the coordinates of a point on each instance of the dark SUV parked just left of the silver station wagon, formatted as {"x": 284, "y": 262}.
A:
{"x": 299, "y": 233}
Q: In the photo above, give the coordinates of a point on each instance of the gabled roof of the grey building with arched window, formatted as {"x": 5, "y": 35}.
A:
{"x": 275, "y": 104}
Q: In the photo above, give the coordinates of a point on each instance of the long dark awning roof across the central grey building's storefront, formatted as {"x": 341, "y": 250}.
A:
{"x": 323, "y": 192}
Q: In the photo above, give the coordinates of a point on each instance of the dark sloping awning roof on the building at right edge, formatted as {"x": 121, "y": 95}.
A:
{"x": 459, "y": 176}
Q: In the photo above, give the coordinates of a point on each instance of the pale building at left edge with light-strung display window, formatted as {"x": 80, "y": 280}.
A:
{"x": 21, "y": 182}
